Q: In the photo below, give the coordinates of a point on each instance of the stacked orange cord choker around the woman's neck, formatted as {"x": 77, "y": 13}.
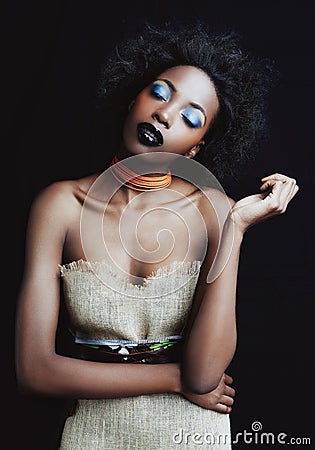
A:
{"x": 138, "y": 182}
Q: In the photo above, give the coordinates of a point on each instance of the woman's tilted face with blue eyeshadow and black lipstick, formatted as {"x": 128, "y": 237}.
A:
{"x": 172, "y": 114}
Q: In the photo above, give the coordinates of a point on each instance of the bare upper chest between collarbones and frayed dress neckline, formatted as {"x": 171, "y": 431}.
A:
{"x": 139, "y": 239}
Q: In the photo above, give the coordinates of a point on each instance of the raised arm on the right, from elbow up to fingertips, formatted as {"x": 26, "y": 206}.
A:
{"x": 211, "y": 337}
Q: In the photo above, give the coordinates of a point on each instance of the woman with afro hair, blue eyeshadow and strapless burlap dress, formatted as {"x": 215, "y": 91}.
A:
{"x": 135, "y": 293}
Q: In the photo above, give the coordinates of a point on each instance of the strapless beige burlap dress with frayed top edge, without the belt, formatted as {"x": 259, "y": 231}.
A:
{"x": 106, "y": 308}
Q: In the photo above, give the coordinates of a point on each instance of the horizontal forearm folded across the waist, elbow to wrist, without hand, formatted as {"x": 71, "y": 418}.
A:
{"x": 73, "y": 378}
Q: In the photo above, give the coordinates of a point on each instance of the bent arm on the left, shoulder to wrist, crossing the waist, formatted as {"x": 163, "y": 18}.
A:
{"x": 38, "y": 367}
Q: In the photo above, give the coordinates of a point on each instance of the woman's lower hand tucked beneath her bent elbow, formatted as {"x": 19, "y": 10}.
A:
{"x": 220, "y": 399}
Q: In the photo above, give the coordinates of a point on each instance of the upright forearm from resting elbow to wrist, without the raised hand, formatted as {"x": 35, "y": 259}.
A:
{"x": 211, "y": 342}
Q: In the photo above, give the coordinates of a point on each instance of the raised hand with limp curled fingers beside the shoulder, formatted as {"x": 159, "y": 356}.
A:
{"x": 276, "y": 192}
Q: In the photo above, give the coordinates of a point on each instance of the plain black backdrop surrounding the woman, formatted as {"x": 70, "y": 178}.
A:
{"x": 50, "y": 56}
